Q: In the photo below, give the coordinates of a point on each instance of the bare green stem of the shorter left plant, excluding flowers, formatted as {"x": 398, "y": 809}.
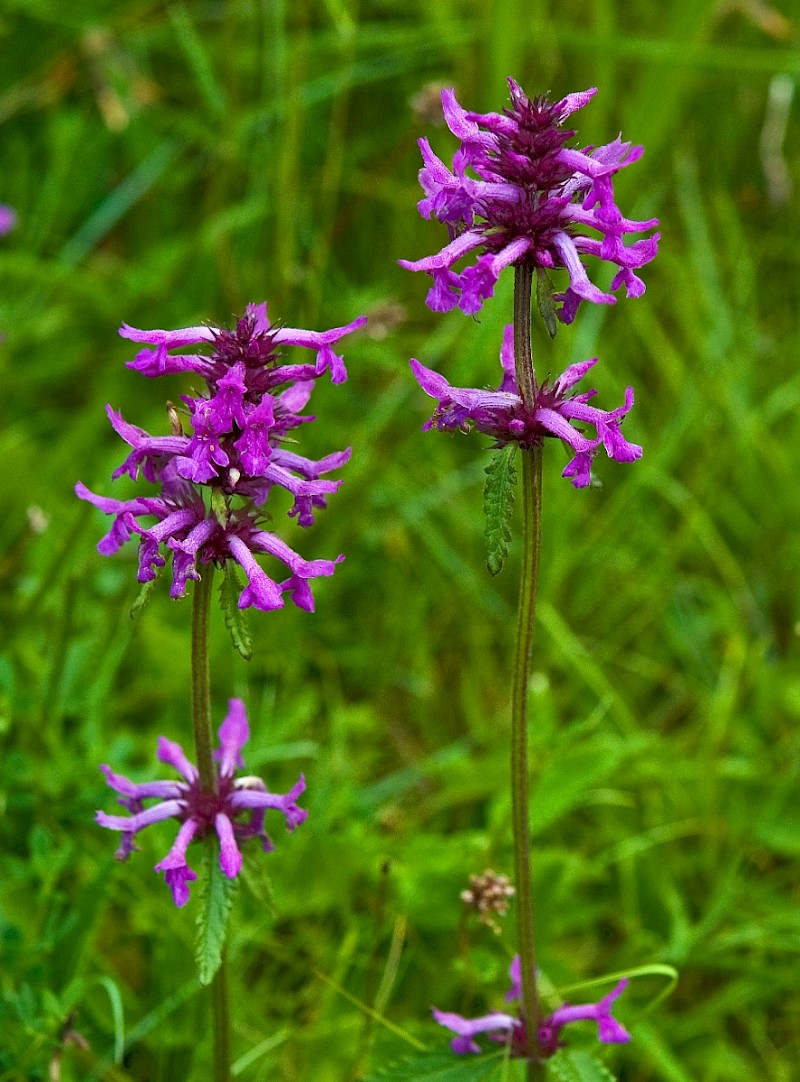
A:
{"x": 204, "y": 749}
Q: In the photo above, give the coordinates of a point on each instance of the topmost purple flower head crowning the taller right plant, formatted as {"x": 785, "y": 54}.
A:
{"x": 532, "y": 200}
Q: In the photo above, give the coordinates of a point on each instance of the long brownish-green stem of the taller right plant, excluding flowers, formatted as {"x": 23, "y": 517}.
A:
{"x": 527, "y": 619}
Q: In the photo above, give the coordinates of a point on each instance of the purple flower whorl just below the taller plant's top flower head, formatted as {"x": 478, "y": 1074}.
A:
{"x": 503, "y": 415}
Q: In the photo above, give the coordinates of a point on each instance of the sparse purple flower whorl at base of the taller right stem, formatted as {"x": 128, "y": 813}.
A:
{"x": 506, "y": 1028}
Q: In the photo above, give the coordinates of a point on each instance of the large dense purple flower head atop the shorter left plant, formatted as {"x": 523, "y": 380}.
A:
{"x": 235, "y": 453}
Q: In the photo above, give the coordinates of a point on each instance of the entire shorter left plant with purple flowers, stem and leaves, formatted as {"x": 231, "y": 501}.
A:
{"x": 229, "y": 446}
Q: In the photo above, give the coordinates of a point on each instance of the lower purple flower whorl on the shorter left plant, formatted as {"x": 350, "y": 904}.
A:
{"x": 199, "y": 812}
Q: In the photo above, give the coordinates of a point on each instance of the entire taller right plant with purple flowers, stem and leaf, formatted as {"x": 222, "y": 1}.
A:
{"x": 521, "y": 194}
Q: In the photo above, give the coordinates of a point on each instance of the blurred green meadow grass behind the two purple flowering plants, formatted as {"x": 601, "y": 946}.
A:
{"x": 171, "y": 163}
